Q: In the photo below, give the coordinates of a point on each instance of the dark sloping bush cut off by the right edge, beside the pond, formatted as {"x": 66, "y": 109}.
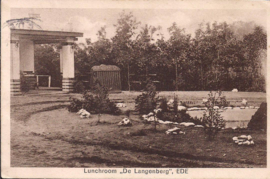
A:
{"x": 259, "y": 119}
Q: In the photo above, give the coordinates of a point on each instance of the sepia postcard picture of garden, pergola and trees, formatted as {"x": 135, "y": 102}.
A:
{"x": 159, "y": 90}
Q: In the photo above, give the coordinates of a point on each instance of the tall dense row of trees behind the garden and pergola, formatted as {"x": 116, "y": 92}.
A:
{"x": 220, "y": 56}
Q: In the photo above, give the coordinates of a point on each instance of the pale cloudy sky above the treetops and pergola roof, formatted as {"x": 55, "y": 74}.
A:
{"x": 89, "y": 21}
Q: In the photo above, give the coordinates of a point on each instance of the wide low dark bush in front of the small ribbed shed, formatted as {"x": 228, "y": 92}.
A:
{"x": 95, "y": 102}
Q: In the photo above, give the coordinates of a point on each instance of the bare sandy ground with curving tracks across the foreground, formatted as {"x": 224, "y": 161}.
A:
{"x": 45, "y": 134}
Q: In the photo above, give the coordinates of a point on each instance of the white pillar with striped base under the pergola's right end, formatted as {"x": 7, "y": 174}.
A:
{"x": 68, "y": 65}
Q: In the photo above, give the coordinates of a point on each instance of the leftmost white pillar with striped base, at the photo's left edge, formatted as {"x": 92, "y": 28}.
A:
{"x": 15, "y": 66}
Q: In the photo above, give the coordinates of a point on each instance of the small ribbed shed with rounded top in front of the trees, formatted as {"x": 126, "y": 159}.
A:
{"x": 108, "y": 76}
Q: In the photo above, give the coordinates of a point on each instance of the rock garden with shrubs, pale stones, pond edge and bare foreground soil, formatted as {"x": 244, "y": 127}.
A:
{"x": 94, "y": 130}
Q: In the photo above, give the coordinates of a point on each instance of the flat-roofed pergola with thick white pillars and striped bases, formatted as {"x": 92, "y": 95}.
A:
{"x": 22, "y": 54}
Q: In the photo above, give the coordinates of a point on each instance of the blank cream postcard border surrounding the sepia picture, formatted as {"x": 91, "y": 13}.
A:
{"x": 8, "y": 172}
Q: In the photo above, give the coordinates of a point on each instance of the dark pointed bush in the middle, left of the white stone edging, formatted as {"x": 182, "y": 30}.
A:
{"x": 147, "y": 101}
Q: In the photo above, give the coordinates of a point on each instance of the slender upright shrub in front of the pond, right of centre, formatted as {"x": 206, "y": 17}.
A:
{"x": 212, "y": 120}
